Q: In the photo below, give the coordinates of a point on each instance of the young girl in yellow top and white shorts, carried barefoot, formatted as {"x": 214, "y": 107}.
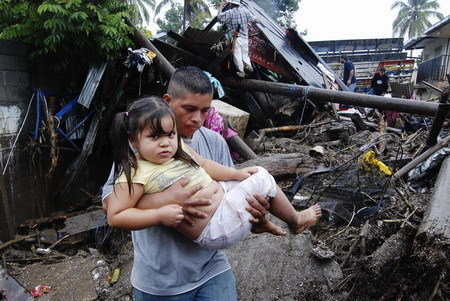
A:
{"x": 162, "y": 158}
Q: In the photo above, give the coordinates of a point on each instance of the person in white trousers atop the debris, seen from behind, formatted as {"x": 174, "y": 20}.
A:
{"x": 236, "y": 19}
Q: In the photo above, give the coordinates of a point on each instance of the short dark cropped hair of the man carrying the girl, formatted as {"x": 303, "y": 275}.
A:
{"x": 189, "y": 79}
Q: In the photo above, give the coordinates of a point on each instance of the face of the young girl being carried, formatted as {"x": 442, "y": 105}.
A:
{"x": 157, "y": 148}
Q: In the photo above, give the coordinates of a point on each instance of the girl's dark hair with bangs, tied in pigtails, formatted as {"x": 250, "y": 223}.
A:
{"x": 144, "y": 113}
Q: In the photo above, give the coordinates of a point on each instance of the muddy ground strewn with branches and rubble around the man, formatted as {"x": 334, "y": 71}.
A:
{"x": 364, "y": 248}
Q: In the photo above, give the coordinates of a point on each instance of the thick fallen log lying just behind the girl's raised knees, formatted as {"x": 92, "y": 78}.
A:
{"x": 283, "y": 165}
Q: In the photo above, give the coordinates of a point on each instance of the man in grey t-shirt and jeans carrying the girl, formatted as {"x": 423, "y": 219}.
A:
{"x": 167, "y": 264}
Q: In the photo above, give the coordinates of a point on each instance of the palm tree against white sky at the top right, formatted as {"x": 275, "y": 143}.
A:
{"x": 412, "y": 18}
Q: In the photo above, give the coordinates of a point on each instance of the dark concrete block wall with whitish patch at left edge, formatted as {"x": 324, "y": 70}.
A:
{"x": 21, "y": 189}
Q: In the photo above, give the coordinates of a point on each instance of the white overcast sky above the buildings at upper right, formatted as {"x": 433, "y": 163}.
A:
{"x": 350, "y": 19}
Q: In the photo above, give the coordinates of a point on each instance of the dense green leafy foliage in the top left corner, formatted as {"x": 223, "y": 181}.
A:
{"x": 76, "y": 32}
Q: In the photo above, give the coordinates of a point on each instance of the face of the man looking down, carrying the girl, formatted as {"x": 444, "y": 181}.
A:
{"x": 191, "y": 111}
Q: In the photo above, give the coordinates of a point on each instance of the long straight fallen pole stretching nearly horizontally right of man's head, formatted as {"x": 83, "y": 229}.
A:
{"x": 323, "y": 95}
